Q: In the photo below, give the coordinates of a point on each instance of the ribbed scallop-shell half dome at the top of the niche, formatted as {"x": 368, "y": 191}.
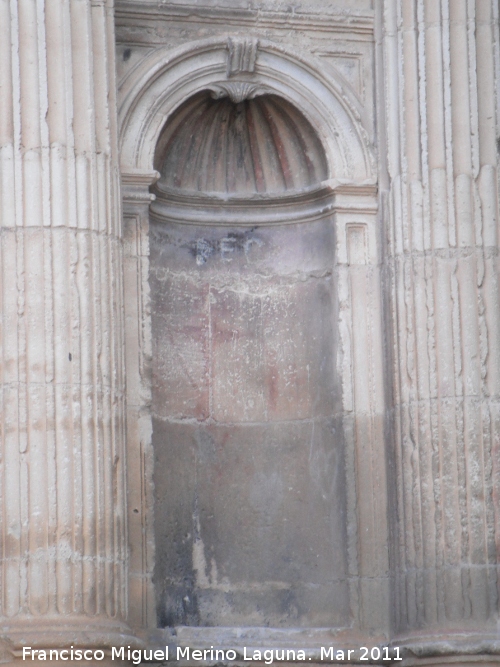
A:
{"x": 260, "y": 145}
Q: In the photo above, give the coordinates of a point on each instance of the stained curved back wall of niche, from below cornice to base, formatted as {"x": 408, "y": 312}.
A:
{"x": 242, "y": 322}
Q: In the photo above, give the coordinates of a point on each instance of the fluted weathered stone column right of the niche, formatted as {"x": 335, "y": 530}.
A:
{"x": 441, "y": 62}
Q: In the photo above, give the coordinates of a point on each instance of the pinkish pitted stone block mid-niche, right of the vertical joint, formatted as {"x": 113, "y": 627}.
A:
{"x": 271, "y": 357}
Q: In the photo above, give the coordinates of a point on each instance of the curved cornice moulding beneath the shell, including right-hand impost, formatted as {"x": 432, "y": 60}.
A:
{"x": 260, "y": 209}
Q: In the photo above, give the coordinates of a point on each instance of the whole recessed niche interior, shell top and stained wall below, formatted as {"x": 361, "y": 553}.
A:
{"x": 249, "y": 476}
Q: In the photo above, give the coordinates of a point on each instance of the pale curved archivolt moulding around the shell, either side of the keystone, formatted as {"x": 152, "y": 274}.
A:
{"x": 167, "y": 78}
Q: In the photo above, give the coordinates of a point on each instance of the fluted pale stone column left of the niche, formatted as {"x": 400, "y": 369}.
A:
{"x": 63, "y": 528}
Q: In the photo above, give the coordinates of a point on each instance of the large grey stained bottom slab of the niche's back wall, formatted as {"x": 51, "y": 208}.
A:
{"x": 234, "y": 529}
